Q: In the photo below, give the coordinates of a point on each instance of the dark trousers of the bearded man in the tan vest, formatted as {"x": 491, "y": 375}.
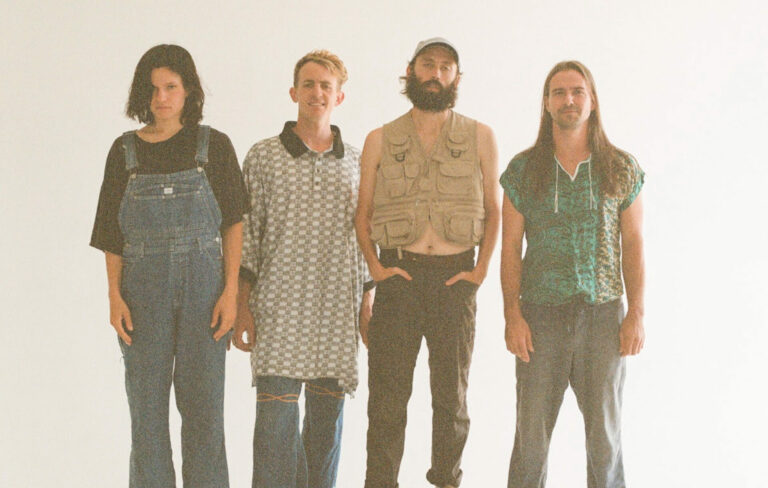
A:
{"x": 404, "y": 312}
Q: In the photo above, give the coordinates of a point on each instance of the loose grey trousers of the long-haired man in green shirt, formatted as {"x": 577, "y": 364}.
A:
{"x": 576, "y": 344}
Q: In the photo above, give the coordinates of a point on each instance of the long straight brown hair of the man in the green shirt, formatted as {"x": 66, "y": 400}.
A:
{"x": 611, "y": 165}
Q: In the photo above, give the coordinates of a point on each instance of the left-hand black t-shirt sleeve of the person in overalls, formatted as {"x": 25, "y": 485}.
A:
{"x": 106, "y": 234}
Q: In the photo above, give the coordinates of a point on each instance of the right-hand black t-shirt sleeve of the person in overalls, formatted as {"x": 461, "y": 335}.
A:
{"x": 226, "y": 180}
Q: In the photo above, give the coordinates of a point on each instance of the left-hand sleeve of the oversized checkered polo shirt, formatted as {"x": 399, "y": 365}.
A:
{"x": 253, "y": 222}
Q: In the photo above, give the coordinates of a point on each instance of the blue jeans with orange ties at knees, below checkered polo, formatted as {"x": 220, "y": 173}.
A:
{"x": 282, "y": 456}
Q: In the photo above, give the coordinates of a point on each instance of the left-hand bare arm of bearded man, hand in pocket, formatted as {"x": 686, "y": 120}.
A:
{"x": 369, "y": 162}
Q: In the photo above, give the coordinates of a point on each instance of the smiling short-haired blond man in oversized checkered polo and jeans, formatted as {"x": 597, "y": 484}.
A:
{"x": 301, "y": 300}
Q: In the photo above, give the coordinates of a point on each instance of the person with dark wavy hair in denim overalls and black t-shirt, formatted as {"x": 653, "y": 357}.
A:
{"x": 172, "y": 294}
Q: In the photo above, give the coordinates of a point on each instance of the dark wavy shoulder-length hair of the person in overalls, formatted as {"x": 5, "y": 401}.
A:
{"x": 178, "y": 60}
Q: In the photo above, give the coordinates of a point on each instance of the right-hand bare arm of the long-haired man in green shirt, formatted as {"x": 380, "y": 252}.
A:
{"x": 632, "y": 335}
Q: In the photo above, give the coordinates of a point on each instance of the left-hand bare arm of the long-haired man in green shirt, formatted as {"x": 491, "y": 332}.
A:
{"x": 517, "y": 333}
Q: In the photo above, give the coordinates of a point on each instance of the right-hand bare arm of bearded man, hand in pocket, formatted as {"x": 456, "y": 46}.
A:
{"x": 489, "y": 166}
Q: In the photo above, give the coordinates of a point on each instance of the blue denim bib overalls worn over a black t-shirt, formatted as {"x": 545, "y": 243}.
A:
{"x": 172, "y": 278}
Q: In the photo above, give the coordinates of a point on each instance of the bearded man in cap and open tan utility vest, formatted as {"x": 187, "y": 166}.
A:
{"x": 427, "y": 198}
